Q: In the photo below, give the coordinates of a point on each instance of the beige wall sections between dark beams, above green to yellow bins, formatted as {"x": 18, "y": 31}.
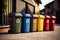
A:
{"x": 21, "y": 5}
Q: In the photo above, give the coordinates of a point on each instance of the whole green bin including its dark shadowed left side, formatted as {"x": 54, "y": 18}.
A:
{"x": 15, "y": 26}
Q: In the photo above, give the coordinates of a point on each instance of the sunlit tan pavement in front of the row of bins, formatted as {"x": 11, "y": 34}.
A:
{"x": 45, "y": 35}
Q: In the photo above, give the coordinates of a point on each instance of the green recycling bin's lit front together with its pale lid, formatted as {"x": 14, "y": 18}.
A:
{"x": 17, "y": 22}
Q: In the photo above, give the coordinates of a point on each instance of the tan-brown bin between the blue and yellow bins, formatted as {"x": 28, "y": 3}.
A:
{"x": 34, "y": 23}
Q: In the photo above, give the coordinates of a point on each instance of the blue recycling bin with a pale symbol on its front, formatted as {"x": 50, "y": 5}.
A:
{"x": 26, "y": 23}
